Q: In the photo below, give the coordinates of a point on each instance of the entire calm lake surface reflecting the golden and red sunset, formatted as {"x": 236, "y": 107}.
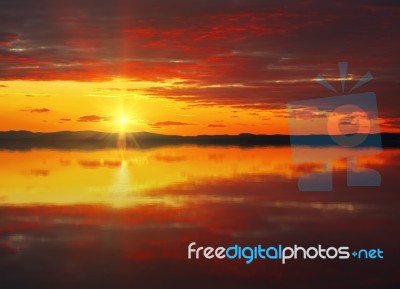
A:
{"x": 112, "y": 219}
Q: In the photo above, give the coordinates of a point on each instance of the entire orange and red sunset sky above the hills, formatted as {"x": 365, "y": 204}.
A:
{"x": 188, "y": 67}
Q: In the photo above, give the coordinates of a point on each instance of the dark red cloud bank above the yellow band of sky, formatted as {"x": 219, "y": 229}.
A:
{"x": 256, "y": 54}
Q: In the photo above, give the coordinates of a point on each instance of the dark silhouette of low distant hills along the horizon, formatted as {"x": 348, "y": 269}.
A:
{"x": 22, "y": 140}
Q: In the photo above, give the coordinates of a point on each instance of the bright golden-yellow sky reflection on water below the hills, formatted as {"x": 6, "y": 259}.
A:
{"x": 123, "y": 177}
